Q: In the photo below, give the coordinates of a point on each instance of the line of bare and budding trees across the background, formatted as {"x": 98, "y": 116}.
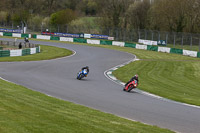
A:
{"x": 161, "y": 15}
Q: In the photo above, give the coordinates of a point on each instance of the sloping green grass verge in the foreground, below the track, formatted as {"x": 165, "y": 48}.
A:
{"x": 23, "y": 110}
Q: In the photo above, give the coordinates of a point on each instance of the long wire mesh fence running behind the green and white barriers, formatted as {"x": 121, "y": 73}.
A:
{"x": 173, "y": 39}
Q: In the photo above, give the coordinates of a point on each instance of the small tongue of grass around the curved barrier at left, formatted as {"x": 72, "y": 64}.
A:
{"x": 47, "y": 53}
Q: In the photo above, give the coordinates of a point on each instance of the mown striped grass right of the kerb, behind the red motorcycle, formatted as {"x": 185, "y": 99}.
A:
{"x": 168, "y": 75}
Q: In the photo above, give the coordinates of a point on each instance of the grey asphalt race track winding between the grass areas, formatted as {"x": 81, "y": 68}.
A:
{"x": 58, "y": 78}
